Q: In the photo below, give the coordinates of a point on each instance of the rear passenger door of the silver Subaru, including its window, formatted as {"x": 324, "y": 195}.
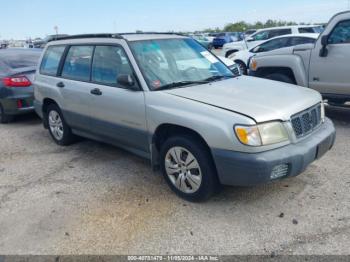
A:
{"x": 74, "y": 86}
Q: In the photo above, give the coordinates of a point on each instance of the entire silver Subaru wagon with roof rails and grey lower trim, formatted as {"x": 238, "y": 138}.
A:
{"x": 166, "y": 98}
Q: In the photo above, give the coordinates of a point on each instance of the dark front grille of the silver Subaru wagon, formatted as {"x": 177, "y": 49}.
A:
{"x": 305, "y": 122}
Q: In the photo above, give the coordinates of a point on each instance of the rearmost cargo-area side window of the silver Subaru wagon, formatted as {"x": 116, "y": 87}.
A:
{"x": 51, "y": 60}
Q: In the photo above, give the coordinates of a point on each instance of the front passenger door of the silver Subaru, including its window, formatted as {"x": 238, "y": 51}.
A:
{"x": 117, "y": 113}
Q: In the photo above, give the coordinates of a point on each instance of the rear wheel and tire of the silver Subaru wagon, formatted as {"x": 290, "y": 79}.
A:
{"x": 60, "y": 132}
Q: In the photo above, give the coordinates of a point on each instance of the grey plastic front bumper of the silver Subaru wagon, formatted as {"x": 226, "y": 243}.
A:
{"x": 244, "y": 169}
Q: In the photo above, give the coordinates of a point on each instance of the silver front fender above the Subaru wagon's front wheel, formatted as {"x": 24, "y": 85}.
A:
{"x": 213, "y": 124}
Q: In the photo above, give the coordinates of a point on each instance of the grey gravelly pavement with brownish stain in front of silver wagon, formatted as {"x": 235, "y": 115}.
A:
{"x": 92, "y": 198}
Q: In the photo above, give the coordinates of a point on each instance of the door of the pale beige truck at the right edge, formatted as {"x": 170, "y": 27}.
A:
{"x": 330, "y": 74}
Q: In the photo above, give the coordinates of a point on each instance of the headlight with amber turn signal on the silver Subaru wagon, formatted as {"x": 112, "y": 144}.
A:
{"x": 262, "y": 135}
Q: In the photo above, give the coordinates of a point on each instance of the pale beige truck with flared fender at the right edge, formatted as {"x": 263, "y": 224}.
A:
{"x": 323, "y": 66}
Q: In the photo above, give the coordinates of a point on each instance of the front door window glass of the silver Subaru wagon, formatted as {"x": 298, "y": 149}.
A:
{"x": 109, "y": 62}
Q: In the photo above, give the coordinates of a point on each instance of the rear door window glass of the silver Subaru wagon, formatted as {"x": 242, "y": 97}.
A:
{"x": 78, "y": 62}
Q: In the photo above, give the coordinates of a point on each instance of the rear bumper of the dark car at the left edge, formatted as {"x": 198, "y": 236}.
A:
{"x": 11, "y": 105}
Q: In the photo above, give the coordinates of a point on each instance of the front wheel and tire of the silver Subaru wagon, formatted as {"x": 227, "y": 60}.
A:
{"x": 197, "y": 181}
